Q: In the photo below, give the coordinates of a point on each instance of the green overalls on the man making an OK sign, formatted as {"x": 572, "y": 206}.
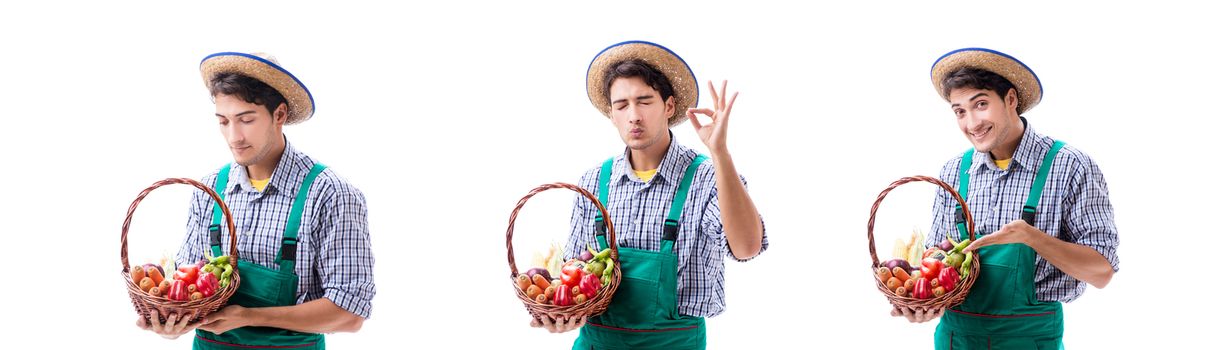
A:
{"x": 644, "y": 313}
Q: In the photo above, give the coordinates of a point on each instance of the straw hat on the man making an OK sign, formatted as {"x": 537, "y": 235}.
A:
{"x": 662, "y": 59}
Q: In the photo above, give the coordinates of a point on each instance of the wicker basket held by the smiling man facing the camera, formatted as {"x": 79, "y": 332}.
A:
{"x": 949, "y": 299}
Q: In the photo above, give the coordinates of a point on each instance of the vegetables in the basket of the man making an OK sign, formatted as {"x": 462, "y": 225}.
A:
{"x": 578, "y": 282}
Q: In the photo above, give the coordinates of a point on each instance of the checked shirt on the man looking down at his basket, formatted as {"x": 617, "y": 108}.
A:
{"x": 334, "y": 259}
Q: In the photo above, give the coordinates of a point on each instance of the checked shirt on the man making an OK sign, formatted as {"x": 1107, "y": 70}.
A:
{"x": 639, "y": 211}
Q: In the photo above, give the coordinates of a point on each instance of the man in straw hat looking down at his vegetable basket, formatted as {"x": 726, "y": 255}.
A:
{"x": 305, "y": 256}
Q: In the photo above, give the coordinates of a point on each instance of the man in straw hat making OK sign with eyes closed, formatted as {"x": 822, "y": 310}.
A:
{"x": 678, "y": 214}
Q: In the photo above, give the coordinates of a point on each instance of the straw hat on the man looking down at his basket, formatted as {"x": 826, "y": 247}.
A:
{"x": 264, "y": 68}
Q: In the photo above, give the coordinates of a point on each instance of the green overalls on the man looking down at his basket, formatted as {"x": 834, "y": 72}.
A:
{"x": 261, "y": 287}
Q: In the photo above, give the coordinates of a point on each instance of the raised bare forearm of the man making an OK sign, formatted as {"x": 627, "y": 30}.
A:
{"x": 744, "y": 230}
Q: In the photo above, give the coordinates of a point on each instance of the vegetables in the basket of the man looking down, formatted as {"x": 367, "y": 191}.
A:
{"x": 188, "y": 283}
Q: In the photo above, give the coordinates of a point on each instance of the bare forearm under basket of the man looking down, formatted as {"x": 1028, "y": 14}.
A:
{"x": 314, "y": 317}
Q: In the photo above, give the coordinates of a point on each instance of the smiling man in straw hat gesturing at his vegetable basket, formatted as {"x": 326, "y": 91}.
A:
{"x": 1046, "y": 226}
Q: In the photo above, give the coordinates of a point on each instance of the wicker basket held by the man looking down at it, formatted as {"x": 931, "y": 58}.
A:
{"x": 193, "y": 311}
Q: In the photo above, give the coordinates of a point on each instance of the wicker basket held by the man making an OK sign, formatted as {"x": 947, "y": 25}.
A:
{"x": 592, "y": 307}
